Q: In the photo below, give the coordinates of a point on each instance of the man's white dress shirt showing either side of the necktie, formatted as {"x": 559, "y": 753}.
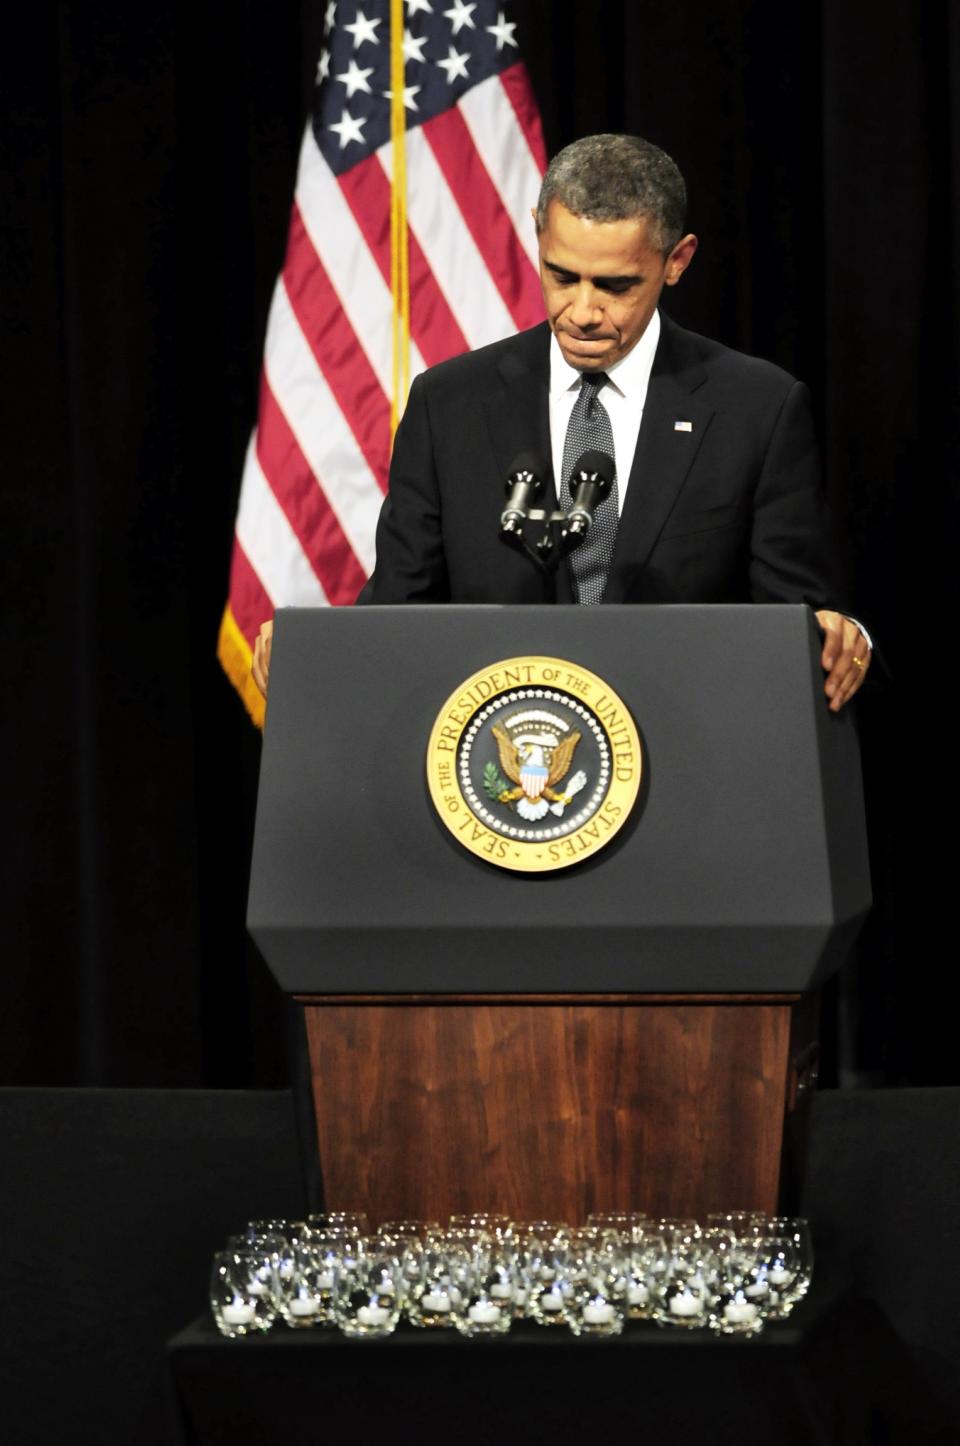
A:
{"x": 624, "y": 397}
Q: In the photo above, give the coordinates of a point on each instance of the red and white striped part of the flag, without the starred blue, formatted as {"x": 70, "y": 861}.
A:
{"x": 319, "y": 459}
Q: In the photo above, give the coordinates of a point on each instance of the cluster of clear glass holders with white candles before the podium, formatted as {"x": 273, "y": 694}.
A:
{"x": 734, "y": 1273}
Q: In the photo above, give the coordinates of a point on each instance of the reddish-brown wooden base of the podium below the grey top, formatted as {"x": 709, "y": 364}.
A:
{"x": 552, "y": 1107}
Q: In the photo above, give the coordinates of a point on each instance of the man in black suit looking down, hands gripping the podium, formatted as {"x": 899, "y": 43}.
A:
{"x": 715, "y": 488}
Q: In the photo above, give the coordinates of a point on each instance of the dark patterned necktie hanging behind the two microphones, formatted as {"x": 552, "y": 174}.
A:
{"x": 589, "y": 429}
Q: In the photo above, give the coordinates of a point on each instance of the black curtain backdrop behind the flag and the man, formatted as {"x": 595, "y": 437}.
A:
{"x": 150, "y": 160}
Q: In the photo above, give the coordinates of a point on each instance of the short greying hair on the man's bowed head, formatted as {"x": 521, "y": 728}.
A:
{"x": 617, "y": 179}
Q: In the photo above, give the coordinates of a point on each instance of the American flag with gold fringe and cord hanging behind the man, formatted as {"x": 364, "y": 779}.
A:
{"x": 411, "y": 241}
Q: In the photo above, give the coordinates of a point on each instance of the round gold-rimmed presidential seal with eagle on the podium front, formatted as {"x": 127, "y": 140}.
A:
{"x": 534, "y": 764}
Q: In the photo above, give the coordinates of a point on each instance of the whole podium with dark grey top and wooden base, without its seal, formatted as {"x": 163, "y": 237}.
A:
{"x": 628, "y": 1033}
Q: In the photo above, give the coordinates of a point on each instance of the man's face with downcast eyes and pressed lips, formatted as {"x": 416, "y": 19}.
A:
{"x": 602, "y": 281}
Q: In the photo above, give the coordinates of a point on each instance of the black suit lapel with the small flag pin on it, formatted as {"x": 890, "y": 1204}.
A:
{"x": 664, "y": 456}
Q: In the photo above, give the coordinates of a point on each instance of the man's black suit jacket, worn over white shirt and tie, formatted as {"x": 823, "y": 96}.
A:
{"x": 728, "y": 511}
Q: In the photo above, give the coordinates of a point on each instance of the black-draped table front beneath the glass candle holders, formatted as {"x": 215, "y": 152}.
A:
{"x": 833, "y": 1376}
